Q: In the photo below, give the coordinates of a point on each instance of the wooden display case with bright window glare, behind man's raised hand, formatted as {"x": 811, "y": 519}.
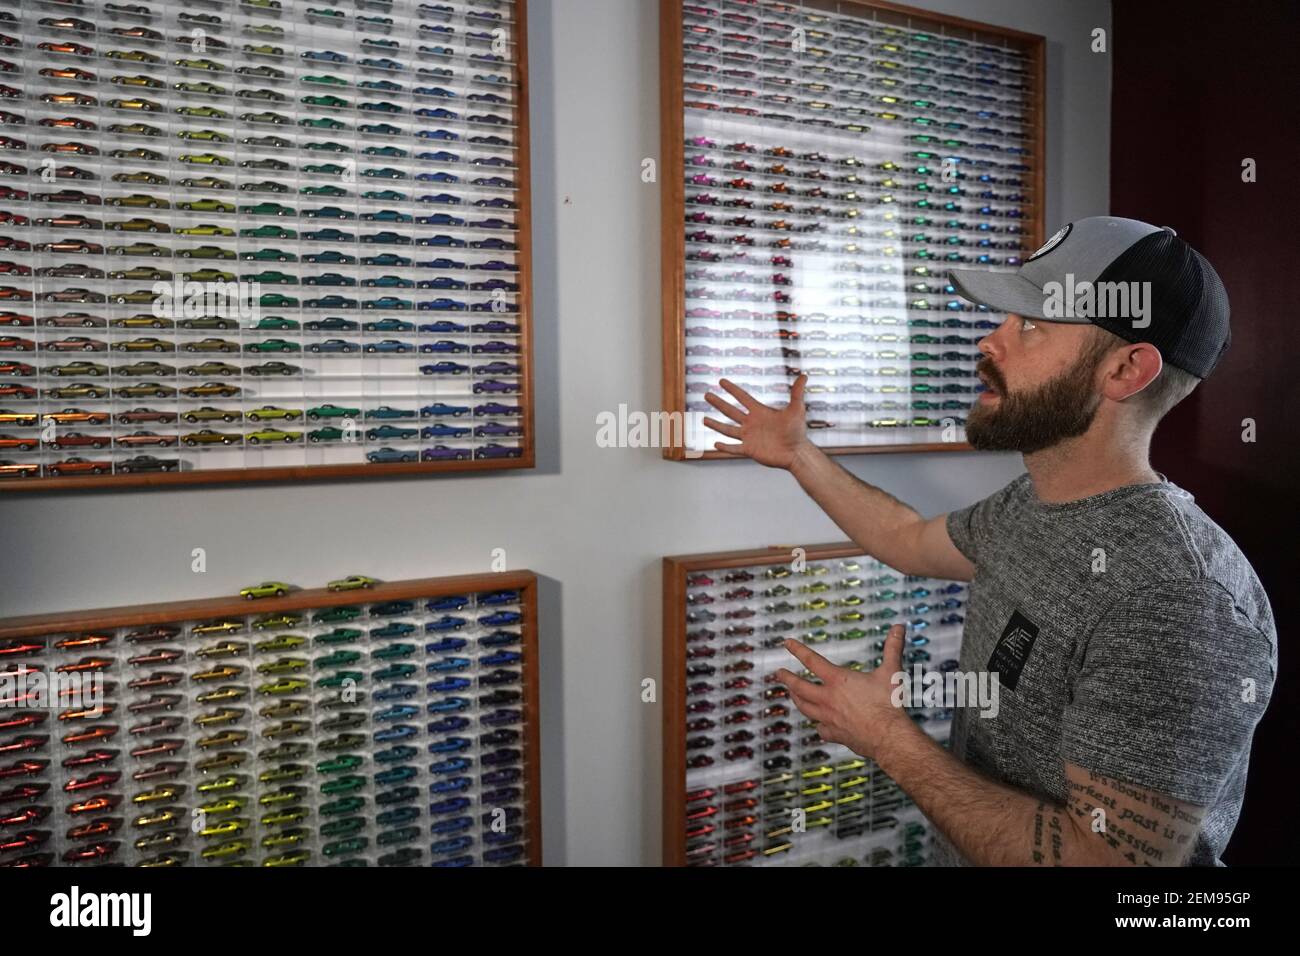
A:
{"x": 825, "y": 163}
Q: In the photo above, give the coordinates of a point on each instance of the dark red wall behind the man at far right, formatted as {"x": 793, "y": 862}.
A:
{"x": 1198, "y": 88}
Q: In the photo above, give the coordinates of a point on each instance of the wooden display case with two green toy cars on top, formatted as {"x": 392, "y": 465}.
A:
{"x": 379, "y": 725}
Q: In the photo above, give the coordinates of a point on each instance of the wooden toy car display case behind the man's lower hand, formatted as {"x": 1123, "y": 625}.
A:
{"x": 747, "y": 780}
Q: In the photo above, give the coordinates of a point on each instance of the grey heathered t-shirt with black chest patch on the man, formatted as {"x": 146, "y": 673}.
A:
{"x": 1137, "y": 672}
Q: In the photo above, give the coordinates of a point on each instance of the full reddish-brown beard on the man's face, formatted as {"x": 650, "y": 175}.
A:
{"x": 1032, "y": 421}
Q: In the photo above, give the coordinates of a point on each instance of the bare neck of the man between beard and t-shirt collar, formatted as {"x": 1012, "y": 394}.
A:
{"x": 1082, "y": 468}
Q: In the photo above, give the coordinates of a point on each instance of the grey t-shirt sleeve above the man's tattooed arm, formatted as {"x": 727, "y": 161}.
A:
{"x": 1173, "y": 681}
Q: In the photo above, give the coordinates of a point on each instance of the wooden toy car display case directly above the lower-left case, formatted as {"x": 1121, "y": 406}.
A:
{"x": 263, "y": 240}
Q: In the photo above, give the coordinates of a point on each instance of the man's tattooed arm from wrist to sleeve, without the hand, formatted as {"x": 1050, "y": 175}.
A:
{"x": 996, "y": 825}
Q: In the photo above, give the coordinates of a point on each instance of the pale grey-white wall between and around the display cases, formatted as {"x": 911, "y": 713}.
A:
{"x": 593, "y": 522}
